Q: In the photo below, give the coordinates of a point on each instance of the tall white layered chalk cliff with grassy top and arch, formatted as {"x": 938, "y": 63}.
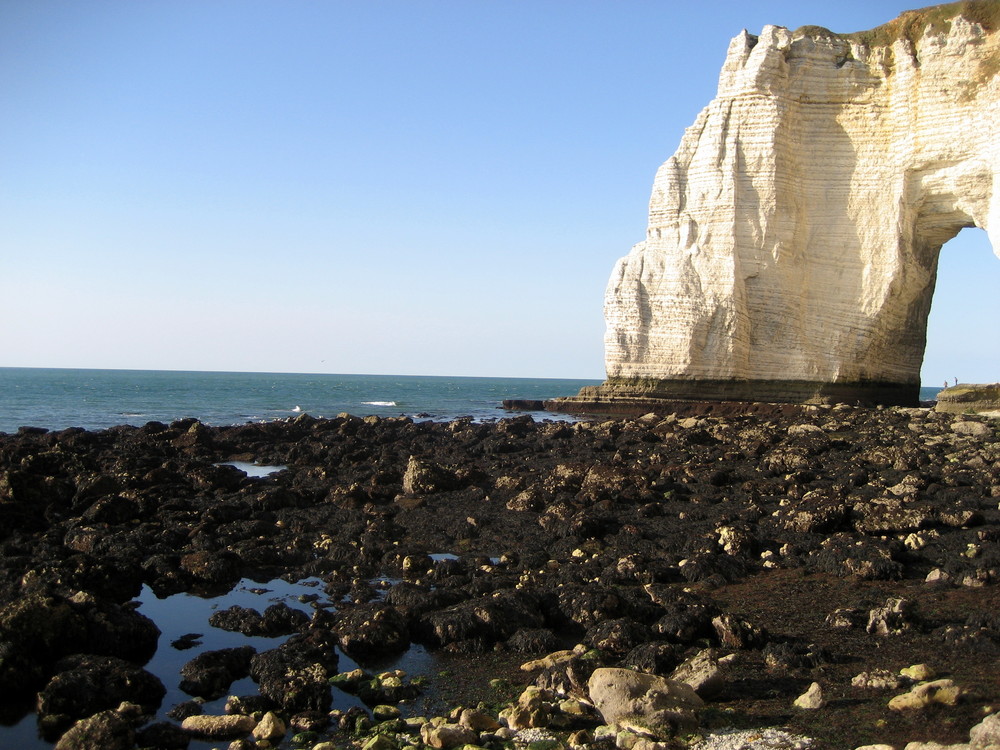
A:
{"x": 793, "y": 237}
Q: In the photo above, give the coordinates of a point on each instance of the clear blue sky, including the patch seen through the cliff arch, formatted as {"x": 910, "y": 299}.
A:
{"x": 376, "y": 186}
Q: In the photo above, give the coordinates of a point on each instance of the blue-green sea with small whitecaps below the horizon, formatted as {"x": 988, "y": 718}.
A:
{"x": 96, "y": 399}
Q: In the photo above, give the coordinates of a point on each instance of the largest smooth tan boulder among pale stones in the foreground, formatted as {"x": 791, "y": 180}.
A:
{"x": 629, "y": 699}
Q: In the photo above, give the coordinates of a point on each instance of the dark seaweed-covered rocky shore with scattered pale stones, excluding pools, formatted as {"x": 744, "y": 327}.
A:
{"x": 728, "y": 563}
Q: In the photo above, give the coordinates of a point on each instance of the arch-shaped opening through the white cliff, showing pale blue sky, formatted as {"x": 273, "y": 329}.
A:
{"x": 963, "y": 335}
